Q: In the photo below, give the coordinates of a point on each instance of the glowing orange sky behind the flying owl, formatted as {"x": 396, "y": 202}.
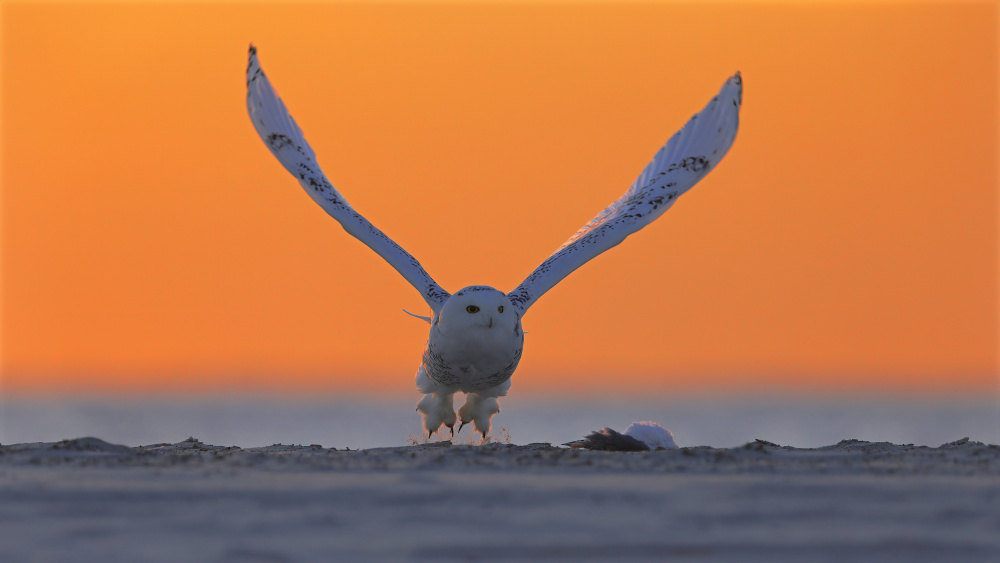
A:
{"x": 847, "y": 242}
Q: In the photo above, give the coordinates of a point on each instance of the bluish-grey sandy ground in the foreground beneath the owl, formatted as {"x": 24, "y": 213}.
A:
{"x": 87, "y": 500}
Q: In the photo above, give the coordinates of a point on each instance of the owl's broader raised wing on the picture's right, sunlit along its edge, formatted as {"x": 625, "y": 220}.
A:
{"x": 686, "y": 158}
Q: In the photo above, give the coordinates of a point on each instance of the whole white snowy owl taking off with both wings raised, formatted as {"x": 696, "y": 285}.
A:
{"x": 476, "y": 337}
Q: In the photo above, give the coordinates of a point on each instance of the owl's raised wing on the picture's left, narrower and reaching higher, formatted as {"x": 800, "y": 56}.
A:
{"x": 282, "y": 135}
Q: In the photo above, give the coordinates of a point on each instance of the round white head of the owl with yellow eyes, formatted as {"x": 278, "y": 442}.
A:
{"x": 478, "y": 306}
